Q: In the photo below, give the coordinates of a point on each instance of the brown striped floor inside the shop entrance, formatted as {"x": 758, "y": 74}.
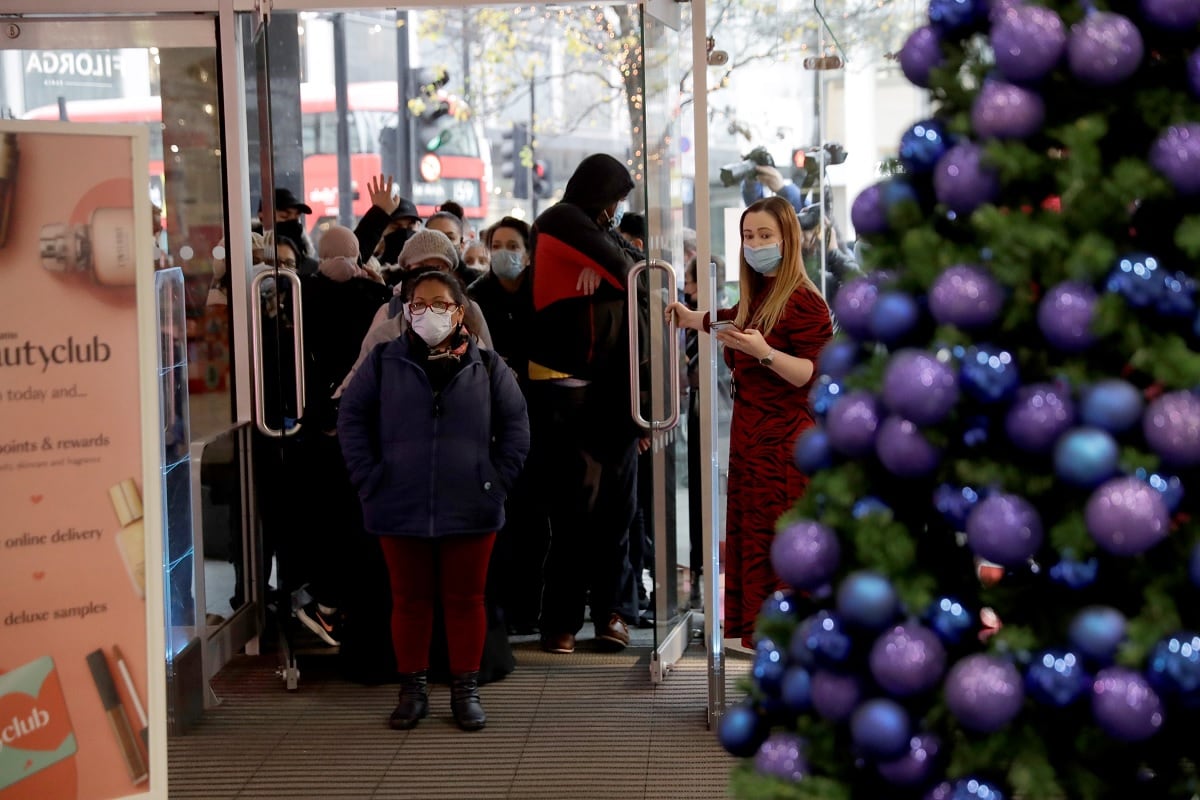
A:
{"x": 577, "y": 727}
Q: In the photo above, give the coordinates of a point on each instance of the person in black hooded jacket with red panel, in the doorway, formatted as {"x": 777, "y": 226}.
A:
{"x": 584, "y": 440}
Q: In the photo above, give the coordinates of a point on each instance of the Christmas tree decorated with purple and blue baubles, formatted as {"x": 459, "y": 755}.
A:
{"x": 995, "y": 573}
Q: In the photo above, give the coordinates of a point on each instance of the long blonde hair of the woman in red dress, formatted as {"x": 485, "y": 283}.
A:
{"x": 789, "y": 276}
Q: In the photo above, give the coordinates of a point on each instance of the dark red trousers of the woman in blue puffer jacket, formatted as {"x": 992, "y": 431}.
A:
{"x": 455, "y": 567}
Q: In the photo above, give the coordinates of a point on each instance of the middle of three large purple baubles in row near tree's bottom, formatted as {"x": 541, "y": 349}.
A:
{"x": 985, "y": 693}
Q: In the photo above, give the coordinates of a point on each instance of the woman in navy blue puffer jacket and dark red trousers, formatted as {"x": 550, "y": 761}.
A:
{"x": 435, "y": 432}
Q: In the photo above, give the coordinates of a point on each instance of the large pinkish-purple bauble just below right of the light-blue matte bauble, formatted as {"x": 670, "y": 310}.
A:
{"x": 1127, "y": 516}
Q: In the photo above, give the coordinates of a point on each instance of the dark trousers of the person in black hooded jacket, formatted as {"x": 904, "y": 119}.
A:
{"x": 584, "y": 459}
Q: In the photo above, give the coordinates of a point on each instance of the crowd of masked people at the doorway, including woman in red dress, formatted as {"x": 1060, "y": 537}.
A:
{"x": 467, "y": 414}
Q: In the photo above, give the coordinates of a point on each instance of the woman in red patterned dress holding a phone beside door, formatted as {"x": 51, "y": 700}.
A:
{"x": 772, "y": 341}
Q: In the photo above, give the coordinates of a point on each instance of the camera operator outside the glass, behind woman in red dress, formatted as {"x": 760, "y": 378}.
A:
{"x": 841, "y": 264}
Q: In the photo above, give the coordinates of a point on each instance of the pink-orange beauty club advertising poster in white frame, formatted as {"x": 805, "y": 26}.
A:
{"x": 81, "y": 706}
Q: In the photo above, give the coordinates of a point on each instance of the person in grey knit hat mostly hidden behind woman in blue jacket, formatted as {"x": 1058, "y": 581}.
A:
{"x": 425, "y": 250}
